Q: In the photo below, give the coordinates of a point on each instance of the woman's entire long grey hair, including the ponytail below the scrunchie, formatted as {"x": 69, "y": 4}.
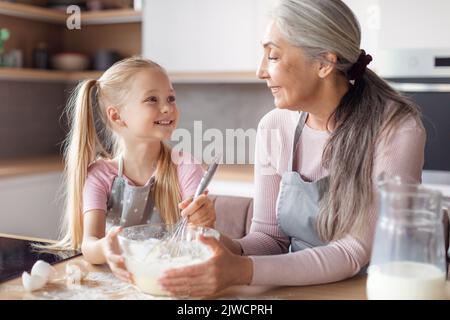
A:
{"x": 361, "y": 118}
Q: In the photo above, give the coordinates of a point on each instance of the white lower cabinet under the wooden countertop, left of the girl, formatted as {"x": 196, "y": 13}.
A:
{"x": 30, "y": 205}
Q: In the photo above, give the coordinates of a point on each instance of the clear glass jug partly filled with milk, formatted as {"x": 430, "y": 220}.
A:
{"x": 408, "y": 256}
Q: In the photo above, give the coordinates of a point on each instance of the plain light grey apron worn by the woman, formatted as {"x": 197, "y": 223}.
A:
{"x": 298, "y": 202}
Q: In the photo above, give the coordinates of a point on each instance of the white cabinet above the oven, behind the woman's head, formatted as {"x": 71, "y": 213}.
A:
{"x": 402, "y": 24}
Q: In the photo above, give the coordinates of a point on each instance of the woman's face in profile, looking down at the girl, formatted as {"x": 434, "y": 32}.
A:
{"x": 291, "y": 76}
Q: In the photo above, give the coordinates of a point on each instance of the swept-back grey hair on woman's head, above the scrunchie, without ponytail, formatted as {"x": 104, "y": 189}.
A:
{"x": 319, "y": 27}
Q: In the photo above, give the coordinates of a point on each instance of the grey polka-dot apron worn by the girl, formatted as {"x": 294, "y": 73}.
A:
{"x": 130, "y": 205}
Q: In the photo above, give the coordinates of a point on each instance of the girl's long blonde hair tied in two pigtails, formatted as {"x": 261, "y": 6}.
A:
{"x": 91, "y": 136}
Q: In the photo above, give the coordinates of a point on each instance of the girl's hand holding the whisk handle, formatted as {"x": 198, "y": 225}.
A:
{"x": 200, "y": 212}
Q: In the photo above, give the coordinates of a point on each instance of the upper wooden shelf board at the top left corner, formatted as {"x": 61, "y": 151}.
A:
{"x": 41, "y": 14}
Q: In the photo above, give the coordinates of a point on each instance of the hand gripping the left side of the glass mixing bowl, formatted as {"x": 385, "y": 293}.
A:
{"x": 114, "y": 259}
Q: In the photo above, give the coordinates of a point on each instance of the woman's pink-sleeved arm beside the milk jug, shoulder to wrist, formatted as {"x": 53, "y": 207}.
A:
{"x": 402, "y": 155}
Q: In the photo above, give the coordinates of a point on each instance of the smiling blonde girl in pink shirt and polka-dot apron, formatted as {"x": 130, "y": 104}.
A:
{"x": 118, "y": 170}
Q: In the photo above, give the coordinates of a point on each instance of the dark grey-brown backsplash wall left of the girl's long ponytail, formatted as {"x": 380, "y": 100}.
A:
{"x": 30, "y": 118}
